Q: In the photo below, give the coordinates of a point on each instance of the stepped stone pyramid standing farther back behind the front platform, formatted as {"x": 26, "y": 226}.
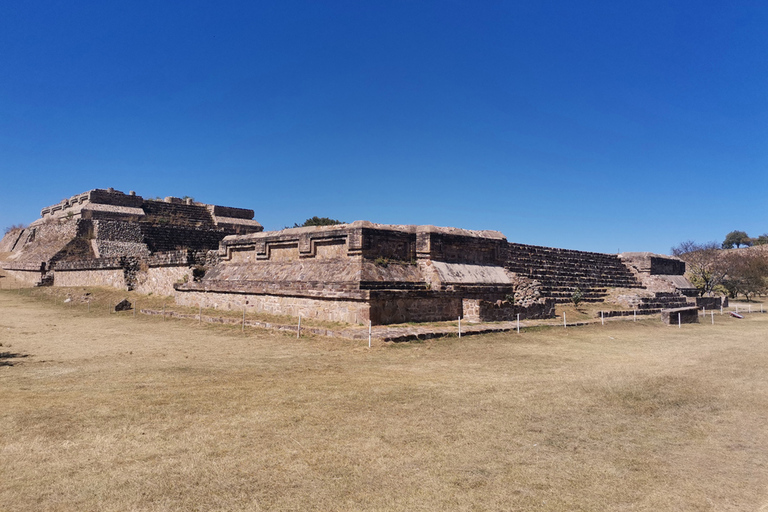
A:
{"x": 102, "y": 237}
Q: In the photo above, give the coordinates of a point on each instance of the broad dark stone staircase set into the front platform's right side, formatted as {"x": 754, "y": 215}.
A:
{"x": 562, "y": 271}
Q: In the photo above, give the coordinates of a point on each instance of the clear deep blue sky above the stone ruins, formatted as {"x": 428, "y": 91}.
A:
{"x": 599, "y": 126}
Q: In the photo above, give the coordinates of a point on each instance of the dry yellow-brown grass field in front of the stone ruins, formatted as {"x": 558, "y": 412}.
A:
{"x": 115, "y": 413}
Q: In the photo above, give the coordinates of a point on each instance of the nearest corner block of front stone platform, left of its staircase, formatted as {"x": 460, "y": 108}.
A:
{"x": 364, "y": 272}
